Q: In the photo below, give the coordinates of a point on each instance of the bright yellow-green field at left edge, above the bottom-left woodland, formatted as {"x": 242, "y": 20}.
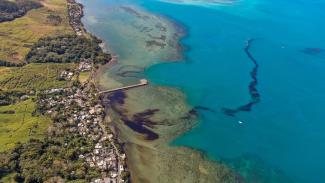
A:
{"x": 22, "y": 125}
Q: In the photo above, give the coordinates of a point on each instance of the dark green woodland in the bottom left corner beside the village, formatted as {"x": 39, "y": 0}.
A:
{"x": 51, "y": 160}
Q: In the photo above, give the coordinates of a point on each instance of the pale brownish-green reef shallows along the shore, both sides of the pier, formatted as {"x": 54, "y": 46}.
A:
{"x": 148, "y": 118}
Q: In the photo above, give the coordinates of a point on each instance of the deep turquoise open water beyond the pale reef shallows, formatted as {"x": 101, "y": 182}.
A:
{"x": 285, "y": 128}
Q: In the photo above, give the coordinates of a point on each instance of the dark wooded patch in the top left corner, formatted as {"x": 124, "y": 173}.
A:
{"x": 10, "y": 10}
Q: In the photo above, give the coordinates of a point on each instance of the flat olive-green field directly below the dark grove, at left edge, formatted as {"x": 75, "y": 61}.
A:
{"x": 33, "y": 76}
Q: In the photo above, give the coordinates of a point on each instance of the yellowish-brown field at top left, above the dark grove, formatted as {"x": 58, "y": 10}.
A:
{"x": 18, "y": 36}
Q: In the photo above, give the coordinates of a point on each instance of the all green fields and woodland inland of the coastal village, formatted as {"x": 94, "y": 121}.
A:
{"x": 36, "y": 147}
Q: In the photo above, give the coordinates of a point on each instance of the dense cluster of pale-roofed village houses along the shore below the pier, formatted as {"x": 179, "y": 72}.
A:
{"x": 85, "y": 114}
